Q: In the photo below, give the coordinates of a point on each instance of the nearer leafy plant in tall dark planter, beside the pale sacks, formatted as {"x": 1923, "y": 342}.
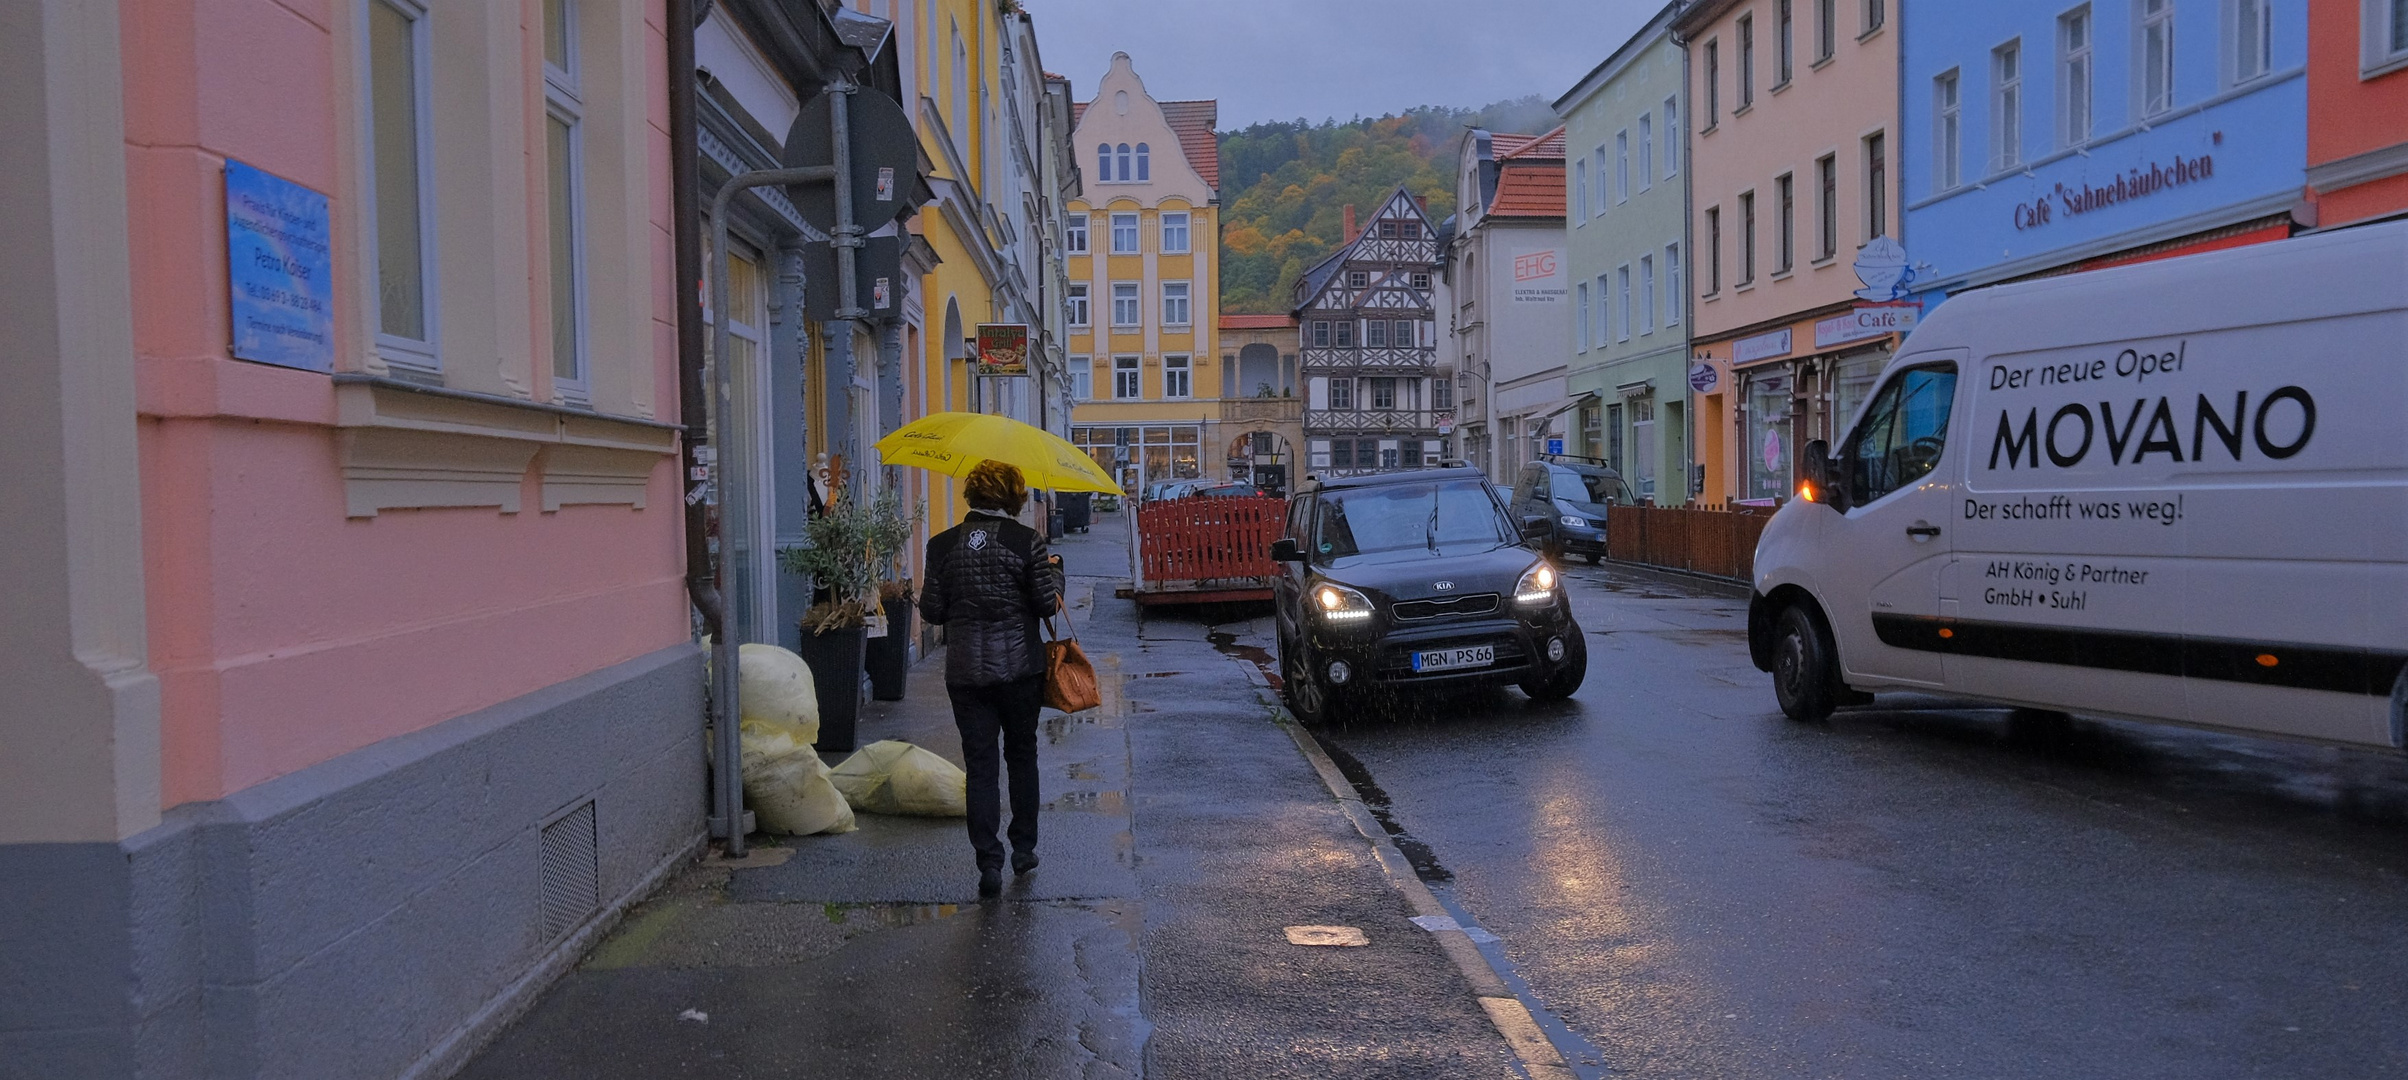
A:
{"x": 834, "y": 631}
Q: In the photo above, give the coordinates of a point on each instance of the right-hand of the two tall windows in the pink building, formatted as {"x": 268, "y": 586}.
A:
{"x": 565, "y": 189}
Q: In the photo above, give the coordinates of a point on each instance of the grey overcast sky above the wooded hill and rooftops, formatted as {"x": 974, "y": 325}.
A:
{"x": 1335, "y": 59}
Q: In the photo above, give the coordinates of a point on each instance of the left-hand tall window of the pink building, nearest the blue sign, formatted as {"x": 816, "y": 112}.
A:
{"x": 401, "y": 184}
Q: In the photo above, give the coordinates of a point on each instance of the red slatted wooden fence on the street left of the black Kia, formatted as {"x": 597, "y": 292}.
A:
{"x": 1220, "y": 547}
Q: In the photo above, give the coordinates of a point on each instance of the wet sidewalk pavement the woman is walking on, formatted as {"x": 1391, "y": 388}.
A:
{"x": 1181, "y": 836}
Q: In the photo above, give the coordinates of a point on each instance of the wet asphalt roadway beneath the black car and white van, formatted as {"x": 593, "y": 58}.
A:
{"x": 1701, "y": 889}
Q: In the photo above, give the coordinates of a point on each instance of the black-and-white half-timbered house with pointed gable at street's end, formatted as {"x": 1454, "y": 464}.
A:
{"x": 1374, "y": 391}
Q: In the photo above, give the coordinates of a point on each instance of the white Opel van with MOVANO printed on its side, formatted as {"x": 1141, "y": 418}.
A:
{"x": 2164, "y": 492}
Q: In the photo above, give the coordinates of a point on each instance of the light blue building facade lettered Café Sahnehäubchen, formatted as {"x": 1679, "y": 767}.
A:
{"x": 2046, "y": 136}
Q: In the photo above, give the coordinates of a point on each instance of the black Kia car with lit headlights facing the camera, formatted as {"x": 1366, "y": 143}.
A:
{"x": 1415, "y": 578}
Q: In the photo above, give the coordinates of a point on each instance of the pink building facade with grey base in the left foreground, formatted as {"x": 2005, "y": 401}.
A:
{"x": 350, "y": 677}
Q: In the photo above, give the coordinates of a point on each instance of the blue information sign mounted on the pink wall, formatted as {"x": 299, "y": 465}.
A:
{"x": 281, "y": 271}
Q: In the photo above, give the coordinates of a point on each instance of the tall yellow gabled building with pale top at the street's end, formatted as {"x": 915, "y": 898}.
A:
{"x": 1143, "y": 249}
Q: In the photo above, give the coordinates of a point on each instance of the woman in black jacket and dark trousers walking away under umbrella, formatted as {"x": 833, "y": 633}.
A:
{"x": 991, "y": 583}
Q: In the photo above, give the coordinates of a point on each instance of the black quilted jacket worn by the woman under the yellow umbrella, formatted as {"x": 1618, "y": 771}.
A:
{"x": 988, "y": 583}
